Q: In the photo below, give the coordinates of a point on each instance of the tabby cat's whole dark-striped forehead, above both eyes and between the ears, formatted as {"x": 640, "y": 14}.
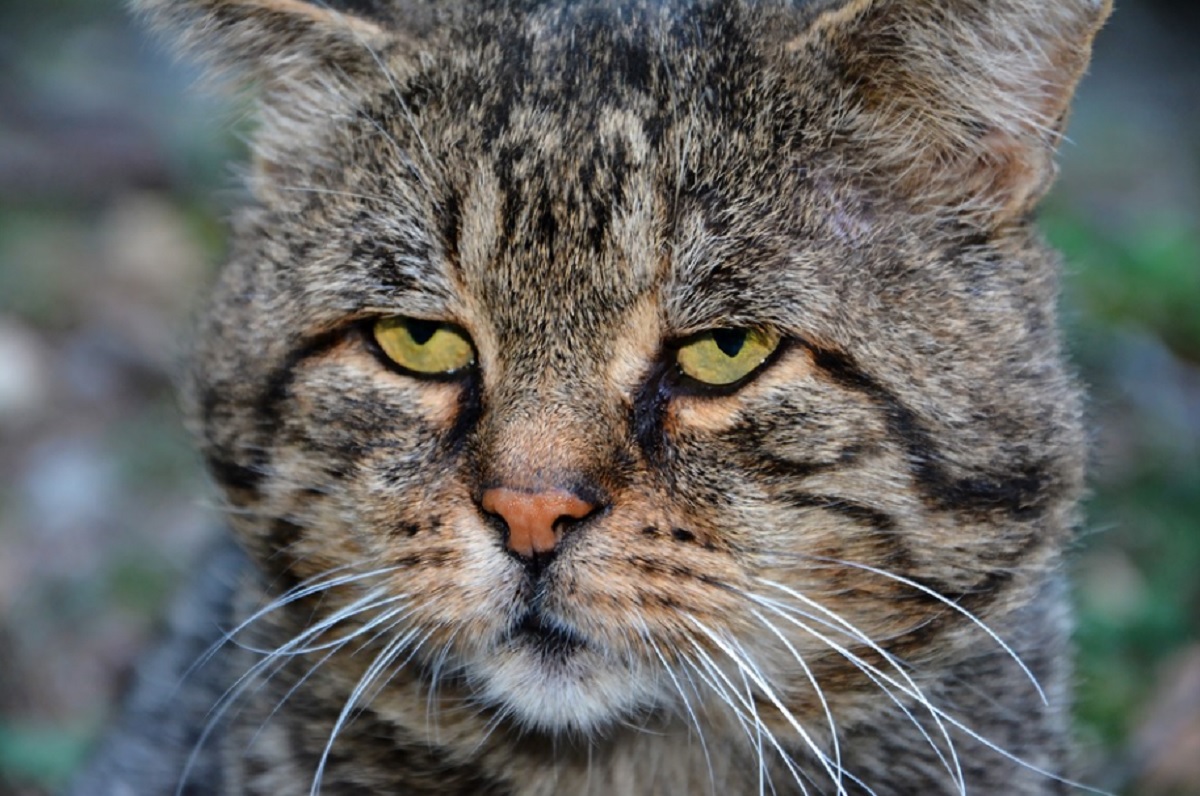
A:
{"x": 549, "y": 175}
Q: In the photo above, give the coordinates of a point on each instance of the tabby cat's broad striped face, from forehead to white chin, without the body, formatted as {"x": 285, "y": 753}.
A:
{"x": 613, "y": 356}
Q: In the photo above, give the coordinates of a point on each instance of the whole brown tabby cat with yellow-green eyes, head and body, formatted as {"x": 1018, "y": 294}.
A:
{"x": 635, "y": 397}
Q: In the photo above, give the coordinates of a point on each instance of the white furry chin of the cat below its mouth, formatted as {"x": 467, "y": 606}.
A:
{"x": 551, "y": 681}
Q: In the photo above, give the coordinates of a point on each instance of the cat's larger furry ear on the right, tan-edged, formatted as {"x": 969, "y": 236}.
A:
{"x": 957, "y": 104}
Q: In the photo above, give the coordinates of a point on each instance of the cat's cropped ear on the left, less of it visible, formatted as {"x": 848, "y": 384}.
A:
{"x": 273, "y": 44}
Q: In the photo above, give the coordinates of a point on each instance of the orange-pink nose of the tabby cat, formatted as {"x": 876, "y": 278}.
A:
{"x": 536, "y": 519}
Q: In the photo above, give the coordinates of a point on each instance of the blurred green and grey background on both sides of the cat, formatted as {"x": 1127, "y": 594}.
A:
{"x": 115, "y": 182}
